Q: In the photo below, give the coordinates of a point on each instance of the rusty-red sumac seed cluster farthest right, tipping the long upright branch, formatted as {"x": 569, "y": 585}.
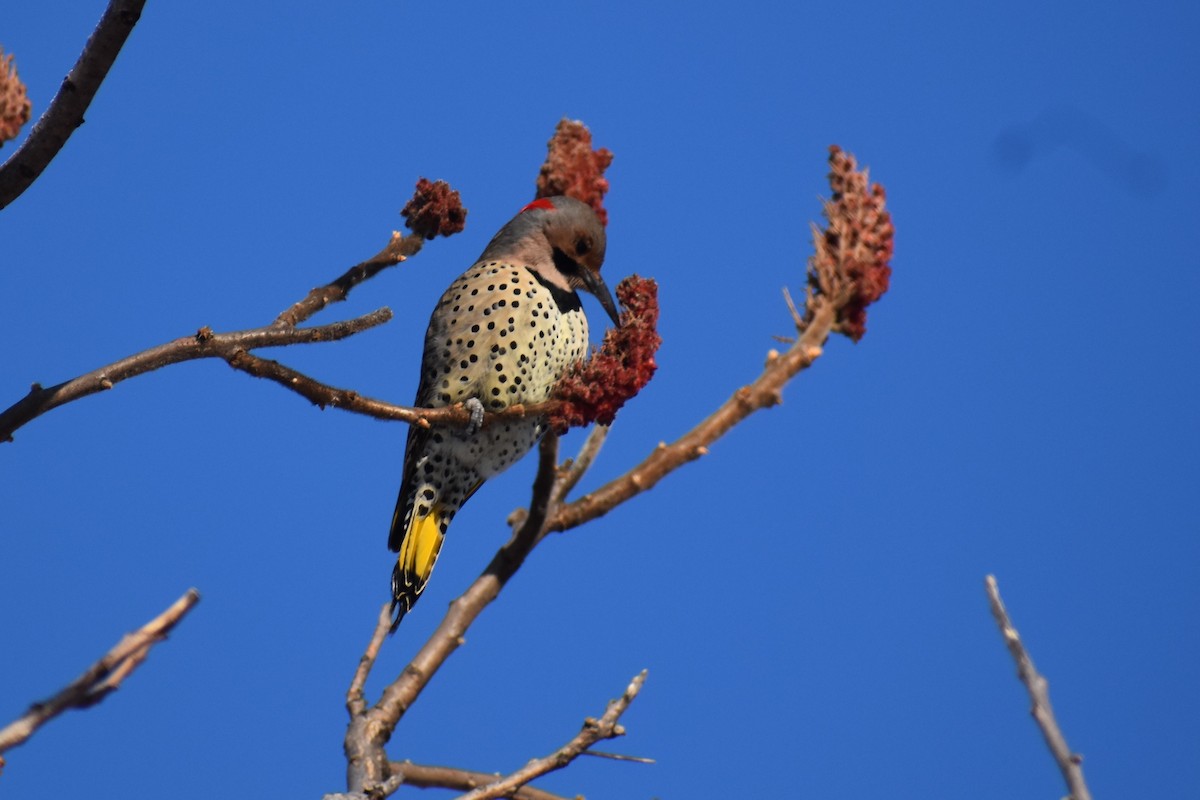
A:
{"x": 856, "y": 245}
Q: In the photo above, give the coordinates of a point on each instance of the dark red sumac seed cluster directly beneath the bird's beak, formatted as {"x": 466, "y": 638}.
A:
{"x": 595, "y": 392}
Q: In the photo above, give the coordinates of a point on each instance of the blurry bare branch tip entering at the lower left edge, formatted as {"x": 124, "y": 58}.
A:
{"x": 103, "y": 677}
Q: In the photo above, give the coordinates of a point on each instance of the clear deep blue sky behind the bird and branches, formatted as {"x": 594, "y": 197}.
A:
{"x": 809, "y": 598}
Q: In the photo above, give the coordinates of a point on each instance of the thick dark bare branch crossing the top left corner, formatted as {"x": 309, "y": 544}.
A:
{"x": 65, "y": 112}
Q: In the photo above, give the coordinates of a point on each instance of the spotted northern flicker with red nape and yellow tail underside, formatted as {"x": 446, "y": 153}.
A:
{"x": 502, "y": 334}
